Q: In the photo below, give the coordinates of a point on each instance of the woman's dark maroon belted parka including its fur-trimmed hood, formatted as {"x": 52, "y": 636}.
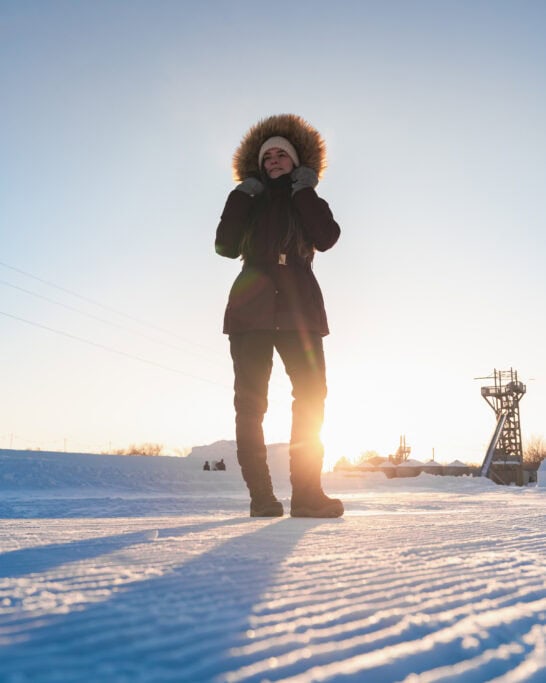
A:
{"x": 276, "y": 289}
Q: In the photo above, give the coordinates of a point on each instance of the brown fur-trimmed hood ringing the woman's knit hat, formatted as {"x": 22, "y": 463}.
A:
{"x": 309, "y": 144}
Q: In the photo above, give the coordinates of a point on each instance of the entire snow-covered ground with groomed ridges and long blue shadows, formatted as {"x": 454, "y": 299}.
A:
{"x": 149, "y": 569}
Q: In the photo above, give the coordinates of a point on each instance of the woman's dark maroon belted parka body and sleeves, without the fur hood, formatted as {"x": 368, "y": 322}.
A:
{"x": 276, "y": 289}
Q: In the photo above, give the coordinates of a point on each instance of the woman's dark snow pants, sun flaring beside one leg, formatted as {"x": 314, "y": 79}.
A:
{"x": 303, "y": 357}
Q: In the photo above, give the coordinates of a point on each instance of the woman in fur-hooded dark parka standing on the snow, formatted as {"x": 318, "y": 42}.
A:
{"x": 275, "y": 221}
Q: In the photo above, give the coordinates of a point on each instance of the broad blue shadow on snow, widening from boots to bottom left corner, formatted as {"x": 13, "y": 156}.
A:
{"x": 181, "y": 626}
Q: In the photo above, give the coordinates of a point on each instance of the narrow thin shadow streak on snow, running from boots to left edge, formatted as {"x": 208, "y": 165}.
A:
{"x": 17, "y": 563}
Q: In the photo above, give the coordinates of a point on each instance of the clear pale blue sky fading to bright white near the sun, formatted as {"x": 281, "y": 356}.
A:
{"x": 119, "y": 120}
